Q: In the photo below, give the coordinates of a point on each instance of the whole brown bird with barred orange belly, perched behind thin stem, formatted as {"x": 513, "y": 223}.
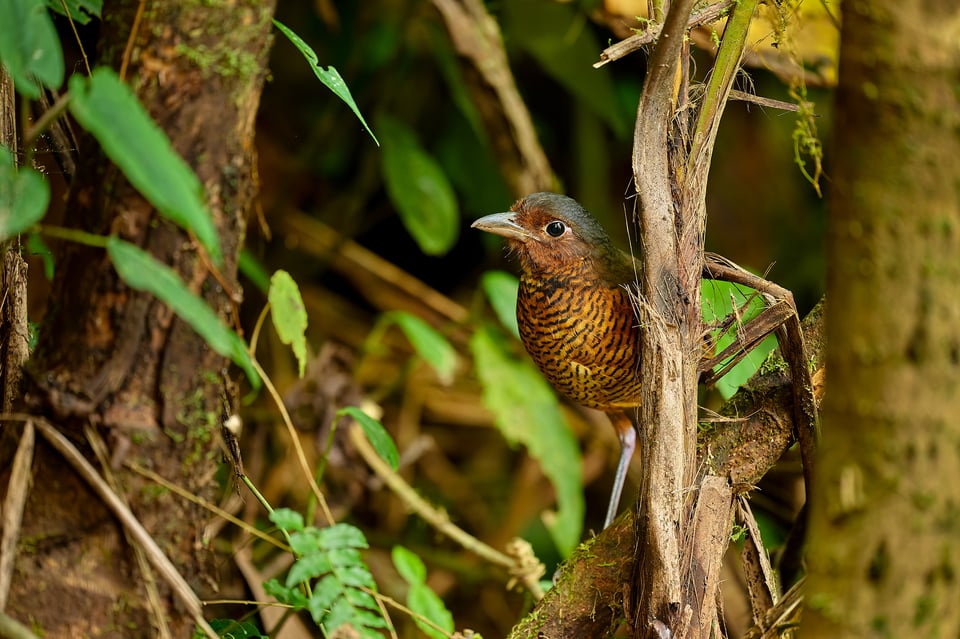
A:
{"x": 575, "y": 313}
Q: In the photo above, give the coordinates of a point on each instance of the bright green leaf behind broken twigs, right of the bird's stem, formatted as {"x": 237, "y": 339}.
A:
{"x": 718, "y": 302}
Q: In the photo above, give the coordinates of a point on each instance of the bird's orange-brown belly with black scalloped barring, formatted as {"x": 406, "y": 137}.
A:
{"x": 586, "y": 345}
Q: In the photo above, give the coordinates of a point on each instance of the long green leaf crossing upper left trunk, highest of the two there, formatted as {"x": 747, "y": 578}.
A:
{"x": 107, "y": 108}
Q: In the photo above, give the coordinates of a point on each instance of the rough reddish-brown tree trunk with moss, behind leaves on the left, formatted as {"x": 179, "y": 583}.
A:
{"x": 117, "y": 362}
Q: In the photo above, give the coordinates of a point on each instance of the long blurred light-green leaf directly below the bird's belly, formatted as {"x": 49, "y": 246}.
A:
{"x": 526, "y": 410}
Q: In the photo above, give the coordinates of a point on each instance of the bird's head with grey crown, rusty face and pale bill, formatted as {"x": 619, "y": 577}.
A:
{"x": 550, "y": 232}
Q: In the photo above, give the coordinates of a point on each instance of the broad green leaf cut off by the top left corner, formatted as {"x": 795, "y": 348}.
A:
{"x": 29, "y": 46}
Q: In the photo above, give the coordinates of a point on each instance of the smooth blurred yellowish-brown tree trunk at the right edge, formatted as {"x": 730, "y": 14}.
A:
{"x": 884, "y": 548}
